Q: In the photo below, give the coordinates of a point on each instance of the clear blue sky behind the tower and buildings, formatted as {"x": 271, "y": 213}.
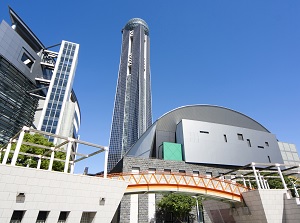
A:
{"x": 243, "y": 55}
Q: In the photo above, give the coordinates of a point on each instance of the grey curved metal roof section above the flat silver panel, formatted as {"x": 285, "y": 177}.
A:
{"x": 206, "y": 113}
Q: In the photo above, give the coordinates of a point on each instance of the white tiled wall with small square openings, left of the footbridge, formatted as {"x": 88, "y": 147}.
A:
{"x": 56, "y": 192}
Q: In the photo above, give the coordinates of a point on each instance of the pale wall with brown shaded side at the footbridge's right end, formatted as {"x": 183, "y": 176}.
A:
{"x": 261, "y": 206}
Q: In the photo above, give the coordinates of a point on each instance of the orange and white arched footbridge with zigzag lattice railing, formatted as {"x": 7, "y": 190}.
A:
{"x": 167, "y": 182}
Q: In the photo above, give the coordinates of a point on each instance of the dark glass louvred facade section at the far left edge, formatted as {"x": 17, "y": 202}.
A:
{"x": 17, "y": 106}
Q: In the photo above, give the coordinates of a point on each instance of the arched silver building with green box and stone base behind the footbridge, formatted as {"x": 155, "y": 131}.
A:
{"x": 196, "y": 140}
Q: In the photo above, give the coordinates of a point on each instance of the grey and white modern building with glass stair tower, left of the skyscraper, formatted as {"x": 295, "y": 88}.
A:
{"x": 36, "y": 83}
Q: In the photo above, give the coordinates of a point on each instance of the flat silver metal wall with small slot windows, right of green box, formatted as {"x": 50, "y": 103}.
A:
{"x": 204, "y": 142}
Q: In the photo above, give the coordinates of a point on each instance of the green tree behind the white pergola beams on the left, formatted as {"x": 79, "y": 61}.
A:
{"x": 24, "y": 160}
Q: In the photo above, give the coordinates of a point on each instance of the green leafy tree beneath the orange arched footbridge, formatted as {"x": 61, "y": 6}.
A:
{"x": 179, "y": 205}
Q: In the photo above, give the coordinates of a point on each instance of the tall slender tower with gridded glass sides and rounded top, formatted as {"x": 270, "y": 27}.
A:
{"x": 132, "y": 111}
